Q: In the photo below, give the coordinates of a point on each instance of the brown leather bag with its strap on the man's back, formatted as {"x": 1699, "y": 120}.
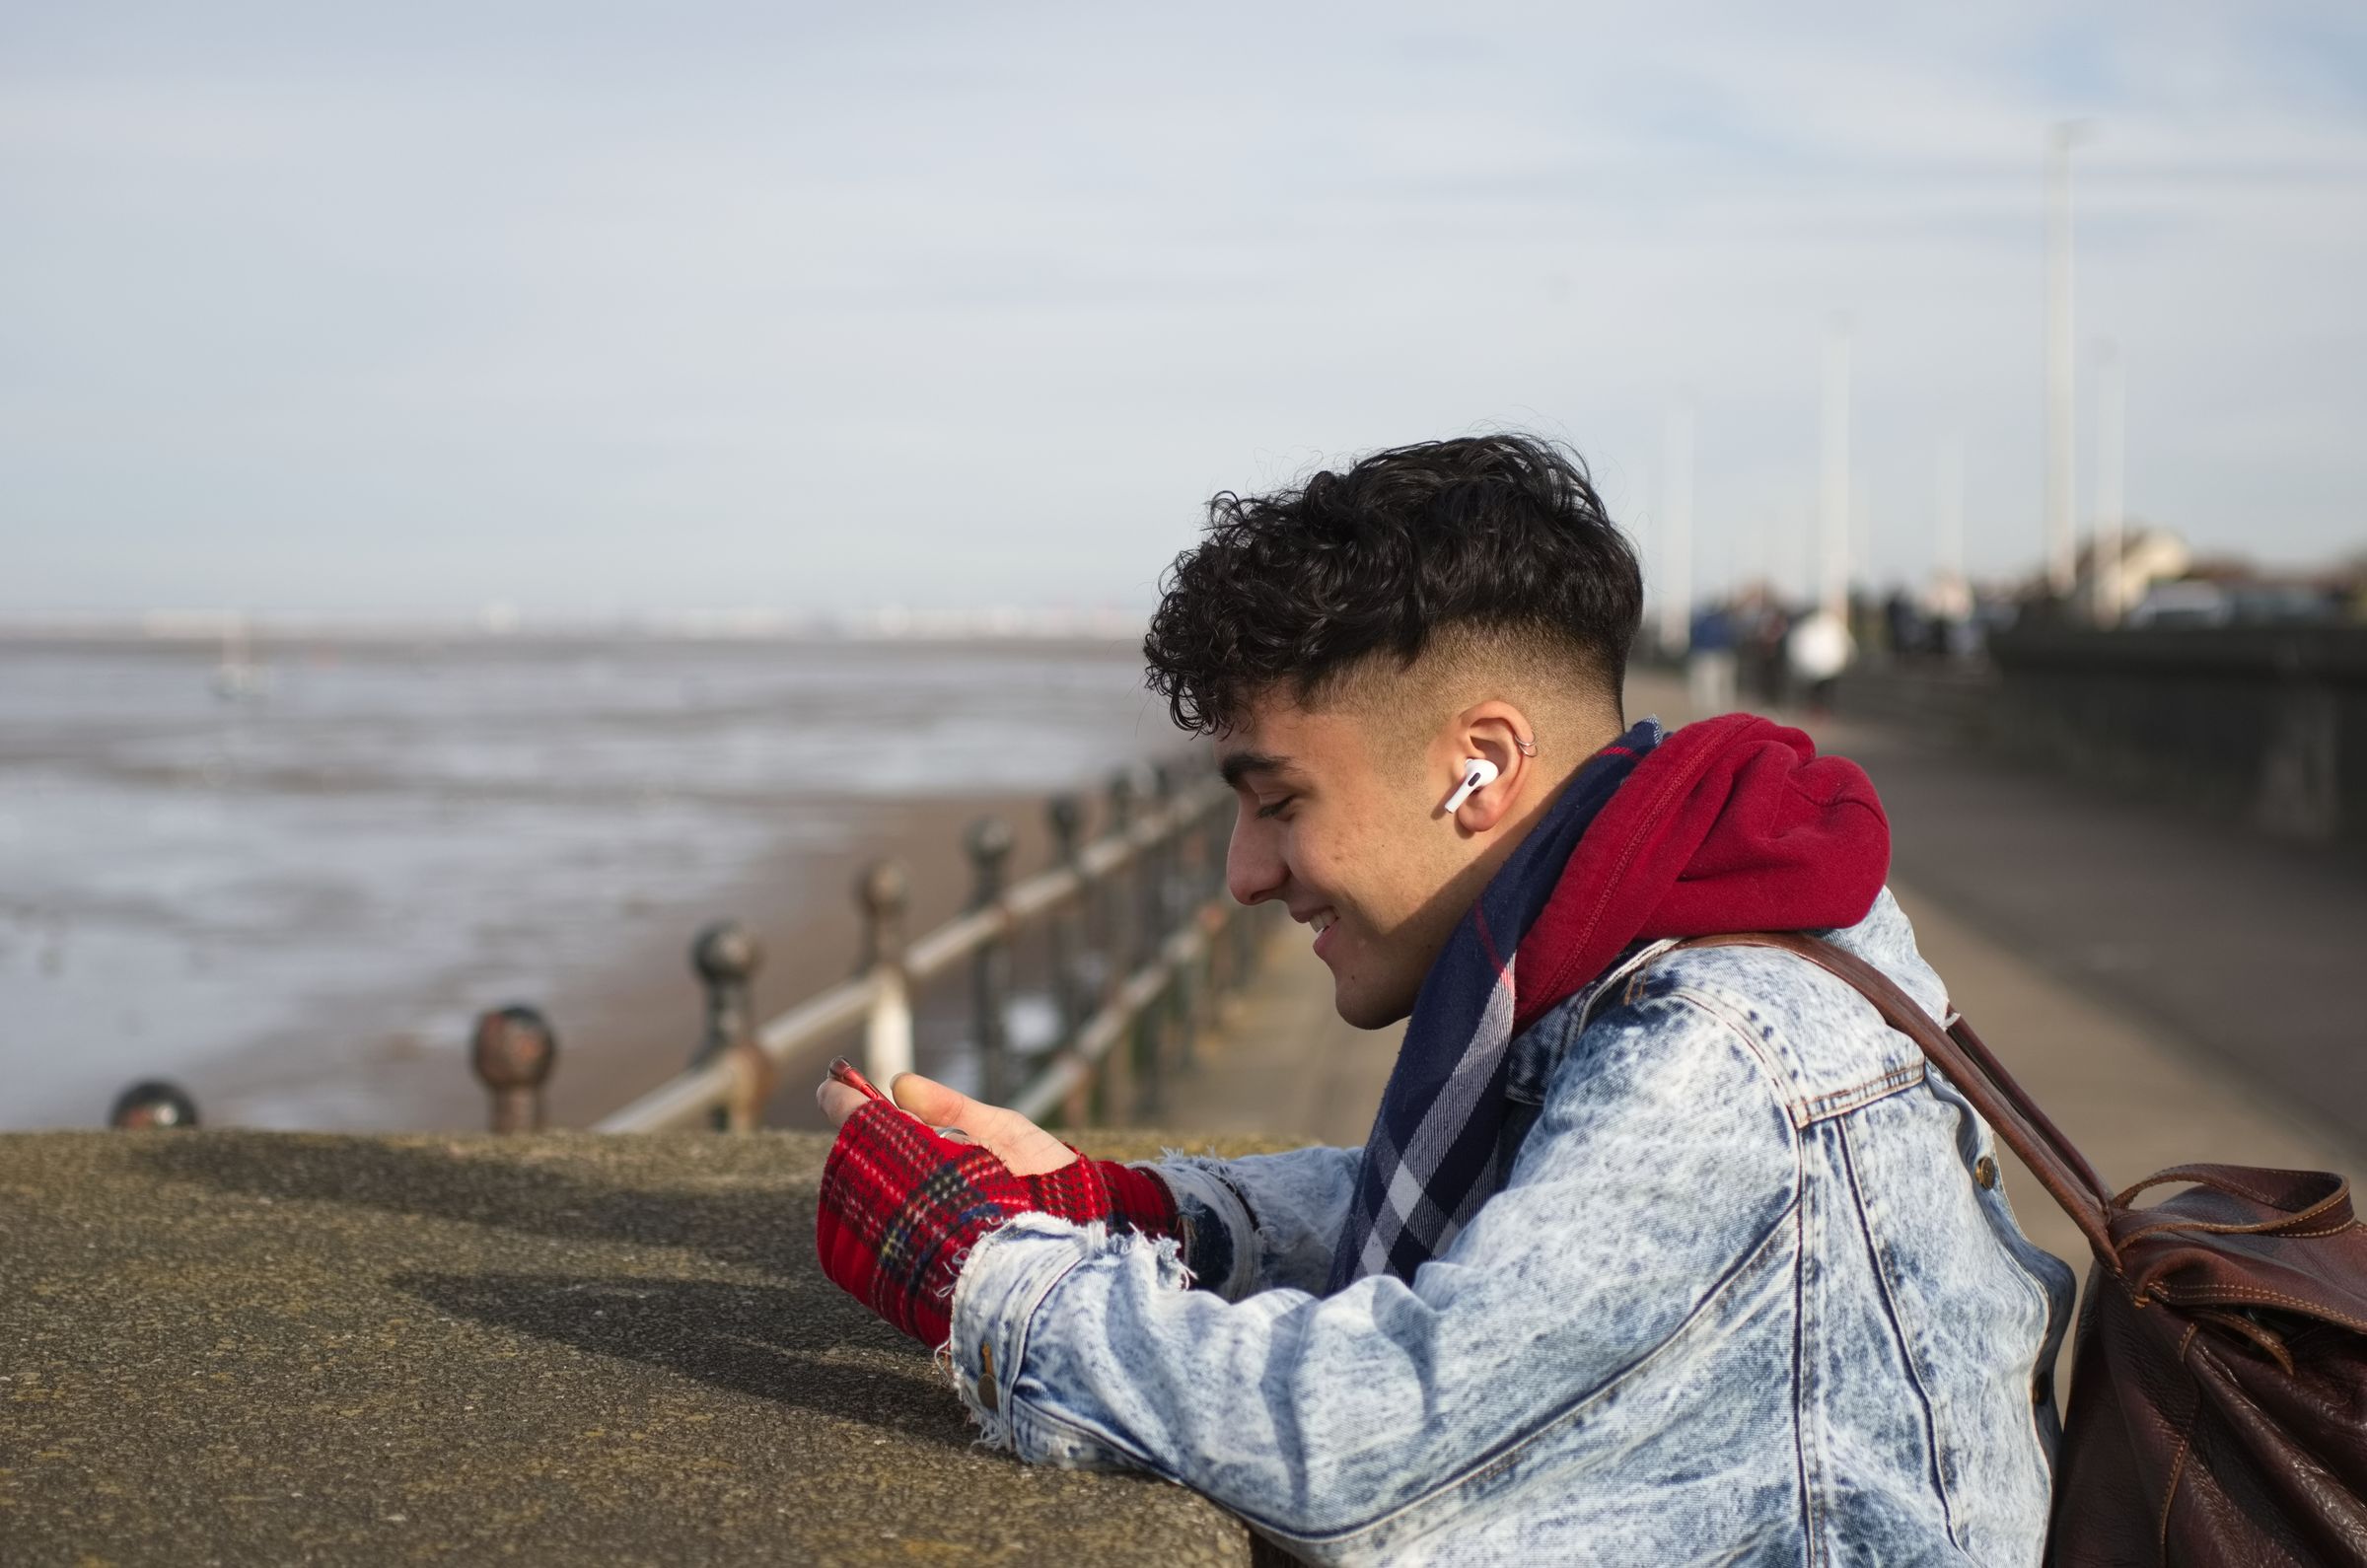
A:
{"x": 2219, "y": 1380}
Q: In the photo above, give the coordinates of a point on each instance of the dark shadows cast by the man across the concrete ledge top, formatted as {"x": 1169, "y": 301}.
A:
{"x": 787, "y": 1337}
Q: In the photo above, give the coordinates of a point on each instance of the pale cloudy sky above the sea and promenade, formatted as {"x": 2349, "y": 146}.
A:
{"x": 602, "y": 309}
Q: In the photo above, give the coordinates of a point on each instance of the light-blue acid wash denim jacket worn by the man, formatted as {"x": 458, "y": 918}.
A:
{"x": 1750, "y": 1297}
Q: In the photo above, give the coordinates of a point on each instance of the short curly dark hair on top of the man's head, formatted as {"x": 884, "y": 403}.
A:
{"x": 1485, "y": 534}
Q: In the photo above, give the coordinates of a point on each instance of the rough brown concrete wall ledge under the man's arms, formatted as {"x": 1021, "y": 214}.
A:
{"x": 560, "y": 1349}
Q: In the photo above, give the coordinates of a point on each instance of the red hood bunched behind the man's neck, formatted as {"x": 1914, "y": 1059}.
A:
{"x": 1727, "y": 825}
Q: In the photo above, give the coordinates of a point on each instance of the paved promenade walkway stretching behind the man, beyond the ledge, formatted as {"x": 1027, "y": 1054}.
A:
{"x": 2167, "y": 989}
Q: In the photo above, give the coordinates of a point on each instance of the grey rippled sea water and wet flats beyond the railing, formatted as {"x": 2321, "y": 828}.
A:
{"x": 340, "y": 840}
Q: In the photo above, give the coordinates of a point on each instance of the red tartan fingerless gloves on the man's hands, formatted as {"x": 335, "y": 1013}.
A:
{"x": 903, "y": 1207}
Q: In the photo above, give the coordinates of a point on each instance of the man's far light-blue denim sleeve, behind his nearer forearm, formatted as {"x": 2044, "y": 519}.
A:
{"x": 1263, "y": 1223}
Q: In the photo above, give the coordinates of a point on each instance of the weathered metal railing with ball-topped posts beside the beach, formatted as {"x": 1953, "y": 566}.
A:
{"x": 1140, "y": 944}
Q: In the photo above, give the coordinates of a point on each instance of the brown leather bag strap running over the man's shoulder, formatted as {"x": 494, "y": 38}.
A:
{"x": 1978, "y": 1077}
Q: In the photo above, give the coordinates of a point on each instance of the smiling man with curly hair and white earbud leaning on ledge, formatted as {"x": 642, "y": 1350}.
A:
{"x": 1653, "y": 1257}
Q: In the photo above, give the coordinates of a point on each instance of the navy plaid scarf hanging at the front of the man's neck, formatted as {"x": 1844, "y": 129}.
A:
{"x": 1433, "y": 1155}
